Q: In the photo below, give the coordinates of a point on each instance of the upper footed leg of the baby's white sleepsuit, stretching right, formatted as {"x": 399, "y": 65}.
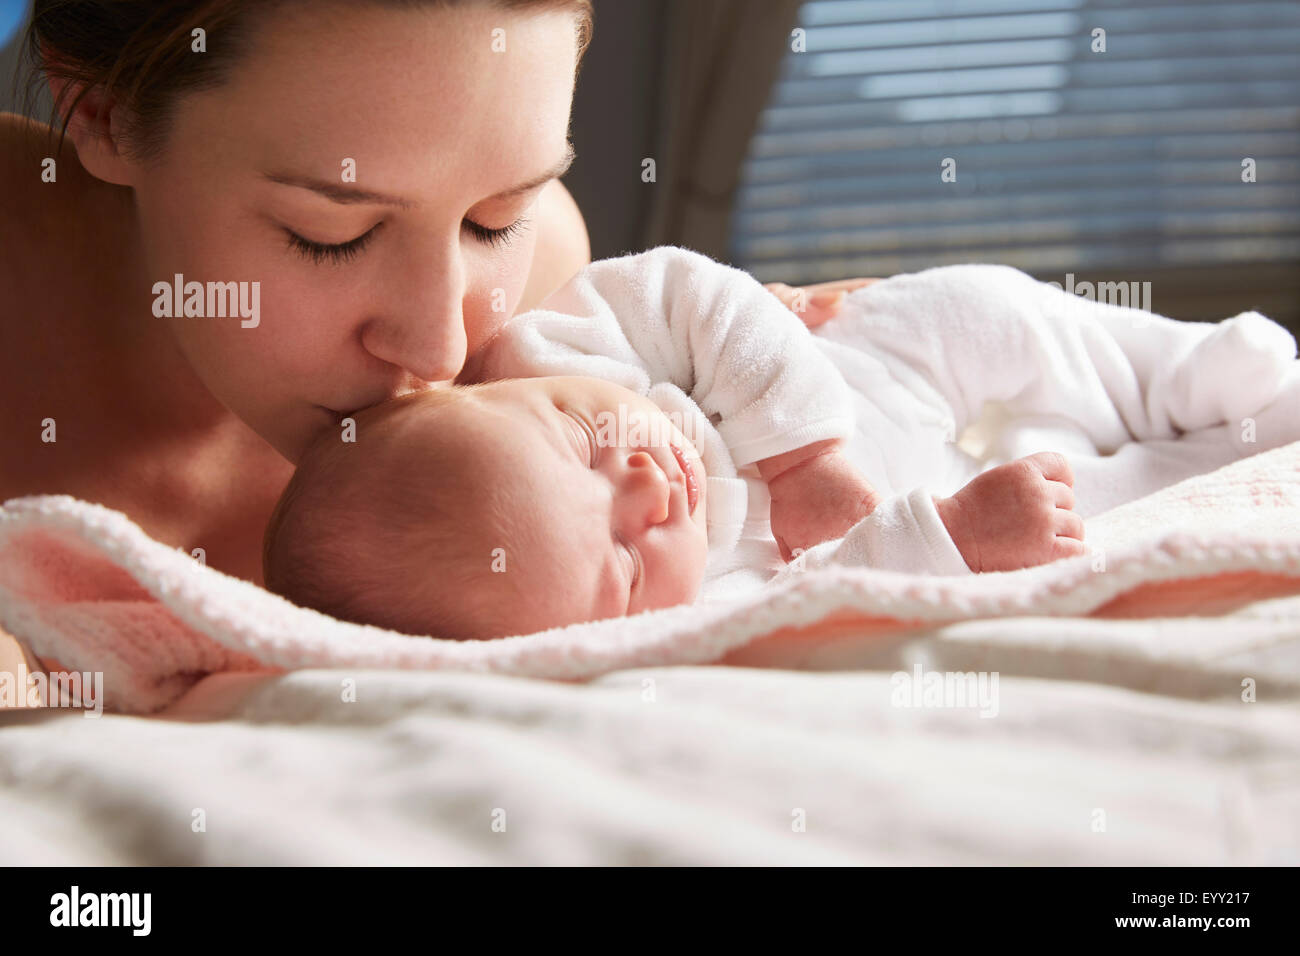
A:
{"x": 991, "y": 334}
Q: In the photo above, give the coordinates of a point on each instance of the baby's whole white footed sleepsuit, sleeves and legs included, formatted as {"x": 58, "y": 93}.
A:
{"x": 904, "y": 370}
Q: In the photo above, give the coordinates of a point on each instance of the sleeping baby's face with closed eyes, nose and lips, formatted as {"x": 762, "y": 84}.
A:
{"x": 604, "y": 499}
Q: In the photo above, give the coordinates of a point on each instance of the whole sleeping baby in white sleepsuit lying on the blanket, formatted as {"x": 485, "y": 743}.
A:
{"x": 665, "y": 430}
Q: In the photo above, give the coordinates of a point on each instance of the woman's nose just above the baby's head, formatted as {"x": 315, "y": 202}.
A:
{"x": 422, "y": 327}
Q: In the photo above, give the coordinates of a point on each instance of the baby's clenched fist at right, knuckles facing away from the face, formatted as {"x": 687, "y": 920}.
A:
{"x": 1016, "y": 516}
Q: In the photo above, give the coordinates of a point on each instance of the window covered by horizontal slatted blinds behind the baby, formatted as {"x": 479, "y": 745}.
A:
{"x": 1069, "y": 157}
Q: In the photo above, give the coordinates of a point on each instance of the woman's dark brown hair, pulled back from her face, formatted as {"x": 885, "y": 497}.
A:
{"x": 140, "y": 51}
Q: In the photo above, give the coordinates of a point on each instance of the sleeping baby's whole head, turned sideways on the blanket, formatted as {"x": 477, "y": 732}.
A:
{"x": 493, "y": 511}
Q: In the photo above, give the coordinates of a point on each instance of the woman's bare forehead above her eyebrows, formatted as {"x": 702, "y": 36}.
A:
{"x": 414, "y": 96}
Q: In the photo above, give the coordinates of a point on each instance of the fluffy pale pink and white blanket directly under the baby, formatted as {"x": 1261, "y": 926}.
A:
{"x": 85, "y": 587}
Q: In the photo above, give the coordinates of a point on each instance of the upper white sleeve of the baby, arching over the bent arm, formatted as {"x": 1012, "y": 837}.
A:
{"x": 713, "y": 331}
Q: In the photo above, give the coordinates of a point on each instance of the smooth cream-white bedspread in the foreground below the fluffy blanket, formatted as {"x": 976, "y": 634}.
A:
{"x": 1116, "y": 742}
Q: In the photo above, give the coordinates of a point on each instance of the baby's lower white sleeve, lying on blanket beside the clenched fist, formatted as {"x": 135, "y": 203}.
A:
{"x": 904, "y": 534}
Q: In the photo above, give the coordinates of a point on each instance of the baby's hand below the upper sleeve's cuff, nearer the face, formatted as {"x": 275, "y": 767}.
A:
{"x": 817, "y": 499}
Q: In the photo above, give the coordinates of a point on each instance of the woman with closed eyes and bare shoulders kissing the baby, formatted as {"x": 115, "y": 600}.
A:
{"x": 375, "y": 185}
